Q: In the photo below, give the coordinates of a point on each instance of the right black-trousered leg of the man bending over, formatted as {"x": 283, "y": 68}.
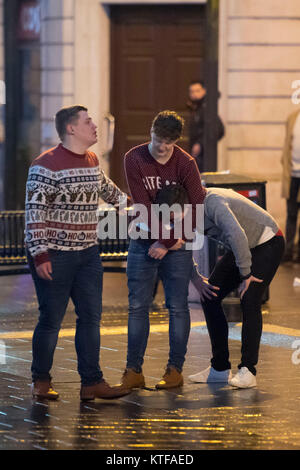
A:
{"x": 265, "y": 262}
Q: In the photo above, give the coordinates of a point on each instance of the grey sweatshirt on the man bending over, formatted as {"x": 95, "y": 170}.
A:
{"x": 237, "y": 222}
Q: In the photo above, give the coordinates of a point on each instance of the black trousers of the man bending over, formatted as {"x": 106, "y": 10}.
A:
{"x": 265, "y": 261}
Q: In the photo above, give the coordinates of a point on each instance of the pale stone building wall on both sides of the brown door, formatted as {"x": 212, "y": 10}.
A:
{"x": 259, "y": 60}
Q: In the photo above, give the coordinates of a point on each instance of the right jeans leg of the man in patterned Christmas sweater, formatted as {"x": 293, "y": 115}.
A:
{"x": 87, "y": 297}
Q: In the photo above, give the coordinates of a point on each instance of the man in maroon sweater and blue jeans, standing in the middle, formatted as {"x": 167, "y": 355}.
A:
{"x": 149, "y": 167}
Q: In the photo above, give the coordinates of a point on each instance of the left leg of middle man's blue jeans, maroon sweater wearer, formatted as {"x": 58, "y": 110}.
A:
{"x": 142, "y": 275}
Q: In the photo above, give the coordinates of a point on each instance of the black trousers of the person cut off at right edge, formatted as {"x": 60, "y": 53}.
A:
{"x": 292, "y": 213}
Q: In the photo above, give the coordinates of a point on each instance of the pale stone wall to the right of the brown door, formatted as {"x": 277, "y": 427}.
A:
{"x": 259, "y": 60}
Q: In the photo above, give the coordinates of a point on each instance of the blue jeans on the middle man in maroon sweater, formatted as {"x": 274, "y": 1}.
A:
{"x": 142, "y": 271}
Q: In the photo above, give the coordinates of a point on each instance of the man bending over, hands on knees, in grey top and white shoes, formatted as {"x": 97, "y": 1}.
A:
{"x": 255, "y": 246}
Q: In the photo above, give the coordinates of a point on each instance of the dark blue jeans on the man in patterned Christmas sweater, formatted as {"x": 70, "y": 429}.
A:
{"x": 77, "y": 275}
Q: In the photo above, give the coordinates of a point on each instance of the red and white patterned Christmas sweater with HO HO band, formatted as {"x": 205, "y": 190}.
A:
{"x": 62, "y": 196}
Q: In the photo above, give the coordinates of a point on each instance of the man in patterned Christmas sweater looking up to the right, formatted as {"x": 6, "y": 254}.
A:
{"x": 62, "y": 196}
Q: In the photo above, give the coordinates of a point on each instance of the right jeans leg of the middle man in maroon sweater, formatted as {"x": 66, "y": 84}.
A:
{"x": 175, "y": 271}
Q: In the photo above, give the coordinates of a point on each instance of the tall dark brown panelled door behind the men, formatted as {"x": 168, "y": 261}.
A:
{"x": 156, "y": 51}
